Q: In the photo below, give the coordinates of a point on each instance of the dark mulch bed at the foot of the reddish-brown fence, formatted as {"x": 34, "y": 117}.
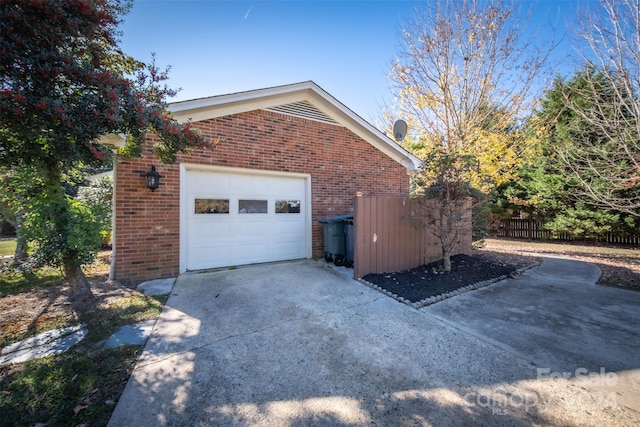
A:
{"x": 429, "y": 280}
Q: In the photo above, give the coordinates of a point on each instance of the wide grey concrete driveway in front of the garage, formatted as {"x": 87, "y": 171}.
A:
{"x": 293, "y": 344}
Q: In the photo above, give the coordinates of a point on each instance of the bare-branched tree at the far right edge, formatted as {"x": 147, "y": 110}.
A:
{"x": 607, "y": 170}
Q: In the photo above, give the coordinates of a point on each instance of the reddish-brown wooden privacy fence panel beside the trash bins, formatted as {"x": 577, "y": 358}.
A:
{"x": 385, "y": 241}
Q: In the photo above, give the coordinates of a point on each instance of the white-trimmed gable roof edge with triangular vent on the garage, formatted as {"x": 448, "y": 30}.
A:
{"x": 305, "y": 99}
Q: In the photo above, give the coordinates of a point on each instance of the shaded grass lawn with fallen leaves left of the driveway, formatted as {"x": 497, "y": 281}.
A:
{"x": 82, "y": 386}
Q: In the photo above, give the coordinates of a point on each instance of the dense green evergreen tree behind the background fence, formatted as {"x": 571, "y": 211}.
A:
{"x": 545, "y": 189}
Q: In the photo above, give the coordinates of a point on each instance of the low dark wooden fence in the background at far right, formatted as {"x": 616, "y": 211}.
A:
{"x": 534, "y": 230}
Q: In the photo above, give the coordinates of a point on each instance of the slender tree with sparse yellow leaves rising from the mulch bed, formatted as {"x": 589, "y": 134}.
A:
{"x": 467, "y": 71}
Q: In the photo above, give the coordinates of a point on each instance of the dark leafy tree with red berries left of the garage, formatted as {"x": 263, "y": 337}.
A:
{"x": 64, "y": 83}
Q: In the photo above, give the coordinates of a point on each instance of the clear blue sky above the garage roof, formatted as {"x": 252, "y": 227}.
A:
{"x": 216, "y": 47}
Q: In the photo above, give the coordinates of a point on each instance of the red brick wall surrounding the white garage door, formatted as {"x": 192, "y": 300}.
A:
{"x": 147, "y": 235}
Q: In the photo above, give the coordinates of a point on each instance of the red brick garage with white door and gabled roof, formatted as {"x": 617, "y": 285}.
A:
{"x": 282, "y": 158}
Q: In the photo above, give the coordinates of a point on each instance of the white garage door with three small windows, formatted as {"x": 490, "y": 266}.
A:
{"x": 235, "y": 217}
